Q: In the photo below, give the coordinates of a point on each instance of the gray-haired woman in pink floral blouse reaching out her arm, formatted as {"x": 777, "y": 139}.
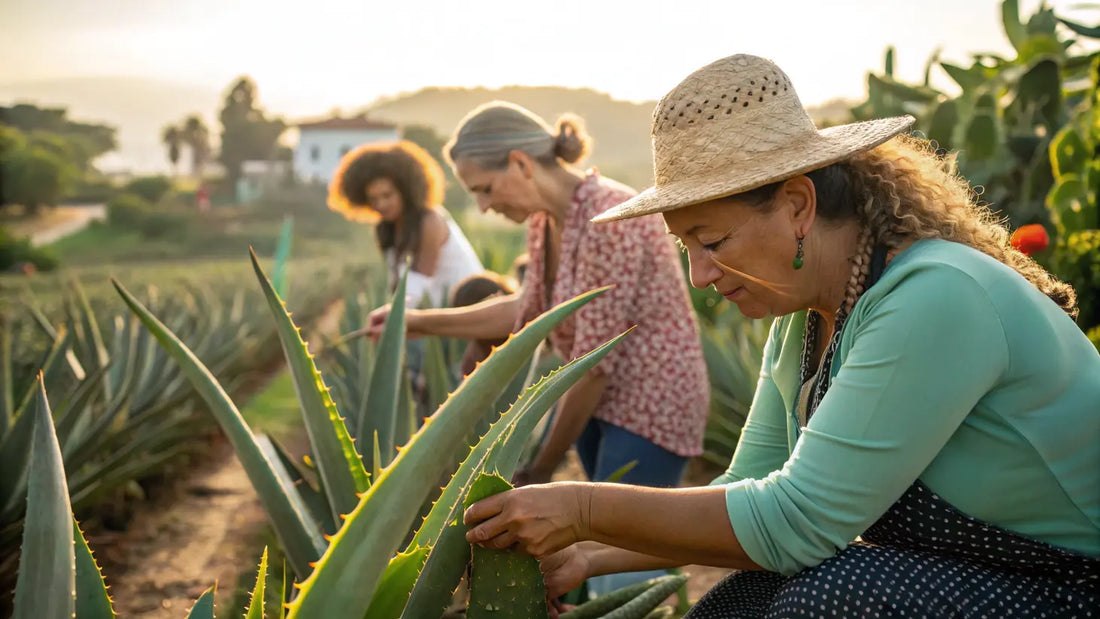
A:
{"x": 647, "y": 401}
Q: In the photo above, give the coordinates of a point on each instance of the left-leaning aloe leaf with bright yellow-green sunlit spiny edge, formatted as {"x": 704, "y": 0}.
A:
{"x": 339, "y": 465}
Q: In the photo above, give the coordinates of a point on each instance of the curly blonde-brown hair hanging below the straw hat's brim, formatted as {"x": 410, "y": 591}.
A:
{"x": 903, "y": 191}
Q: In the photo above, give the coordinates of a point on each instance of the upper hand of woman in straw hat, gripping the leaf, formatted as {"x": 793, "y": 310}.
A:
{"x": 538, "y": 521}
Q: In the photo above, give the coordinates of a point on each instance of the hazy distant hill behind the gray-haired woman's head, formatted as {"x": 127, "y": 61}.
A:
{"x": 620, "y": 129}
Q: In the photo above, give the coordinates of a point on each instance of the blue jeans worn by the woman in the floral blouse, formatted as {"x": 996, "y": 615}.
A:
{"x": 603, "y": 450}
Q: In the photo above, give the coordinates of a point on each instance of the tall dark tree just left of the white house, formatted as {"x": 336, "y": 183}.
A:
{"x": 247, "y": 134}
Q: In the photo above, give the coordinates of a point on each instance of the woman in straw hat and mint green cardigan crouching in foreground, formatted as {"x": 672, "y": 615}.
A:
{"x": 925, "y": 436}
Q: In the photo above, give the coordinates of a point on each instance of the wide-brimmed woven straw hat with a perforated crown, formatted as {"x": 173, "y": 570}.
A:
{"x": 734, "y": 126}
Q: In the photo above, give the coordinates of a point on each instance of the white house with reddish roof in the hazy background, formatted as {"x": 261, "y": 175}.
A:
{"x": 323, "y": 143}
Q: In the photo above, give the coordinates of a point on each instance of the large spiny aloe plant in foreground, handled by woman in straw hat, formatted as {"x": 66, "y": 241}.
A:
{"x": 344, "y": 578}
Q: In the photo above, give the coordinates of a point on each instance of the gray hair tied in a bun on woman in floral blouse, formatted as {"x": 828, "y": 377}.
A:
{"x": 490, "y": 132}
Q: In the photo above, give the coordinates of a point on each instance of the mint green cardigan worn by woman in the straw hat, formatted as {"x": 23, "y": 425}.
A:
{"x": 952, "y": 370}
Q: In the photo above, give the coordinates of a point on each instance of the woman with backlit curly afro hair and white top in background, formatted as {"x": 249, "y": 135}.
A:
{"x": 398, "y": 186}
